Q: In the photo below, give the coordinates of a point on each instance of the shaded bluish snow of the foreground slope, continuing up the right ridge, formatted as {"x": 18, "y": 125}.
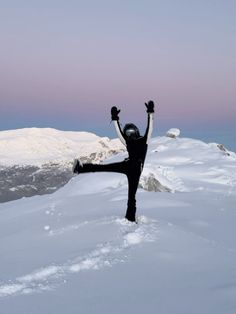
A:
{"x": 72, "y": 252}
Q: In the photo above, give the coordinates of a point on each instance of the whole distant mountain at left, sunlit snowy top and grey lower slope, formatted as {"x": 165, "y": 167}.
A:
{"x": 37, "y": 161}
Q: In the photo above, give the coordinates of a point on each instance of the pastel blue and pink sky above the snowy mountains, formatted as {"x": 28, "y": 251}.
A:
{"x": 63, "y": 64}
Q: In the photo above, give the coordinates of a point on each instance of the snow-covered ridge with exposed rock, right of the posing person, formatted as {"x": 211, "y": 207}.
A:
{"x": 176, "y": 164}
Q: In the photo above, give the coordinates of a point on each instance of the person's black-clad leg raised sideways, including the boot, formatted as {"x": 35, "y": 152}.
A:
{"x": 120, "y": 167}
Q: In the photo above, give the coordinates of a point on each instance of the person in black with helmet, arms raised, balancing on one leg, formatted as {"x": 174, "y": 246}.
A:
{"x": 133, "y": 165}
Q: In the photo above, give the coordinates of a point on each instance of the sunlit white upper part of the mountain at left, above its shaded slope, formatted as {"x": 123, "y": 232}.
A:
{"x": 38, "y": 146}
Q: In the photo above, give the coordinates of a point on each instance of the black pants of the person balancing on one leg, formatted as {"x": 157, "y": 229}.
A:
{"x": 132, "y": 169}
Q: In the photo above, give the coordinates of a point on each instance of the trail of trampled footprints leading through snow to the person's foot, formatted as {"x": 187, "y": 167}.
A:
{"x": 104, "y": 255}
